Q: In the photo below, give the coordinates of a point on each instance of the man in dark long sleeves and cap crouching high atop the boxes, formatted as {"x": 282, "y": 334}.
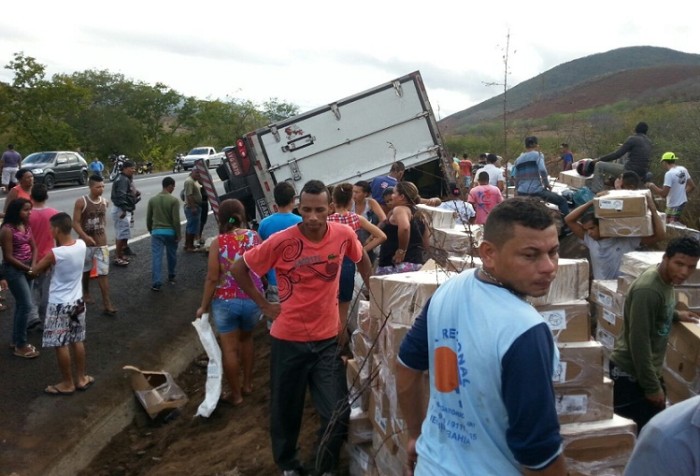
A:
{"x": 638, "y": 150}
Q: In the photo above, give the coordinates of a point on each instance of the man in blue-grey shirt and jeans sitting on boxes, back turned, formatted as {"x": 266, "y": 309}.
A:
{"x": 531, "y": 177}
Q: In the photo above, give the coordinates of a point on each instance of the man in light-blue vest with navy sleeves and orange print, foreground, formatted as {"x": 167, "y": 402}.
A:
{"x": 492, "y": 407}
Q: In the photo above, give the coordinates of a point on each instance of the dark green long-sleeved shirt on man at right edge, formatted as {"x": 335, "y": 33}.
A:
{"x": 648, "y": 314}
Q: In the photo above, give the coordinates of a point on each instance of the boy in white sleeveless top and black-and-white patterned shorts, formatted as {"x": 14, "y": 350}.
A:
{"x": 64, "y": 328}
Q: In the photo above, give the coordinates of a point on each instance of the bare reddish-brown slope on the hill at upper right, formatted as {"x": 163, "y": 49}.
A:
{"x": 625, "y": 85}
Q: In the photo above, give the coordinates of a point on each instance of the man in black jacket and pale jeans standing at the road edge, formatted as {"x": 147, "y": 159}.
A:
{"x": 123, "y": 205}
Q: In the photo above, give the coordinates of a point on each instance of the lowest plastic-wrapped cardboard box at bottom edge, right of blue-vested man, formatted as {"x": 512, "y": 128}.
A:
{"x": 598, "y": 447}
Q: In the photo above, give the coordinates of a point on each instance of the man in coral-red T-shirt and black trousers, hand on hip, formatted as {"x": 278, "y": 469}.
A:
{"x": 304, "y": 351}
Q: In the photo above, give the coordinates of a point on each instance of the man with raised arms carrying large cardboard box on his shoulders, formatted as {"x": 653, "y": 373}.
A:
{"x": 606, "y": 253}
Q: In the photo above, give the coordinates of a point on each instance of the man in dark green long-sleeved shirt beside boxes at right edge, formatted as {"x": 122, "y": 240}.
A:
{"x": 636, "y": 362}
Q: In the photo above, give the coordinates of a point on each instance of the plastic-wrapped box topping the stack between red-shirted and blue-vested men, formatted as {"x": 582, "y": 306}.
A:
{"x": 401, "y": 297}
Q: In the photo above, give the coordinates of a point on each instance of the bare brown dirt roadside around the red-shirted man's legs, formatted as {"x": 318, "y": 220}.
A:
{"x": 233, "y": 441}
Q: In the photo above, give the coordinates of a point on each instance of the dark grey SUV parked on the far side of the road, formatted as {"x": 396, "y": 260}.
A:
{"x": 55, "y": 167}
